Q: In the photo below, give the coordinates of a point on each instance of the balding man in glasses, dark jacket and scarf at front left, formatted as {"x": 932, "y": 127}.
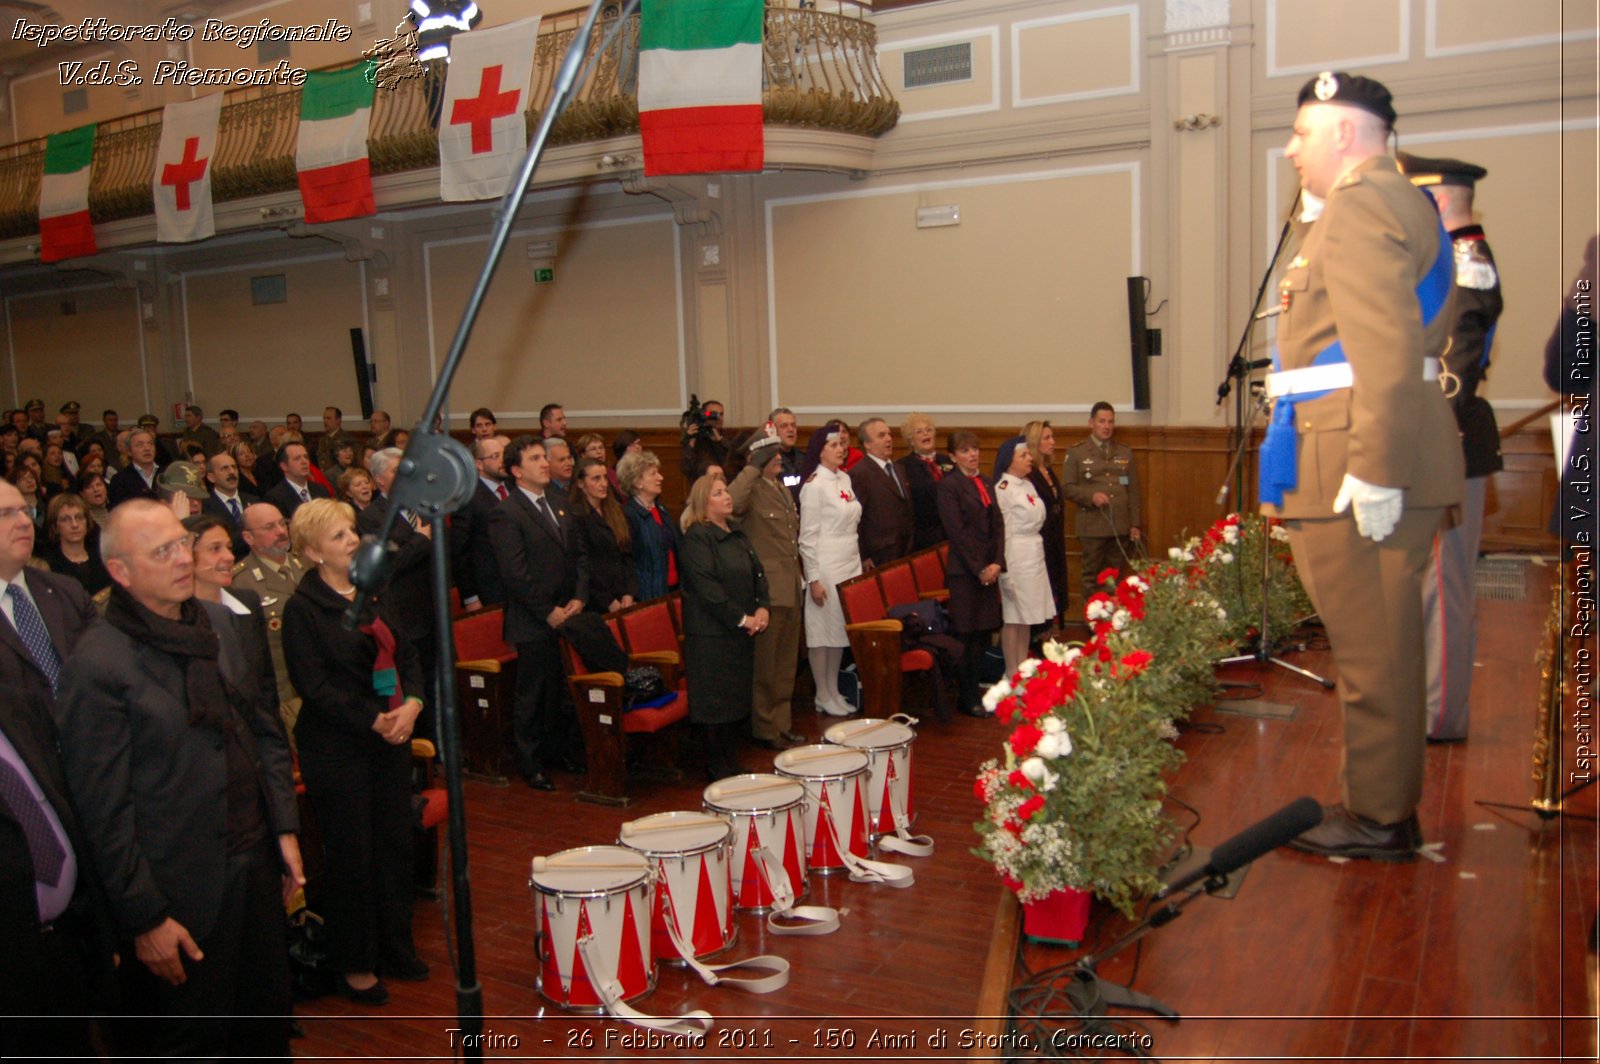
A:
{"x": 182, "y": 777}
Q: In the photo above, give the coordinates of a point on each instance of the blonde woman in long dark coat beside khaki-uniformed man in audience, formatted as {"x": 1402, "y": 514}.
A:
{"x": 724, "y": 607}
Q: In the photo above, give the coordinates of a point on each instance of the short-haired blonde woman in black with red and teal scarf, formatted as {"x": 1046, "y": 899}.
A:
{"x": 359, "y": 706}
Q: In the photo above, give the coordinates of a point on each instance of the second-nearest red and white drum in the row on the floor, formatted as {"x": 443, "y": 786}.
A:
{"x": 692, "y": 854}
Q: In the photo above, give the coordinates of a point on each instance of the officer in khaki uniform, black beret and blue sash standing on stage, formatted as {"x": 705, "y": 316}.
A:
{"x": 1362, "y": 458}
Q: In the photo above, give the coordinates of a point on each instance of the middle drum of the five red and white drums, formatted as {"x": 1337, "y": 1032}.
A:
{"x": 769, "y": 838}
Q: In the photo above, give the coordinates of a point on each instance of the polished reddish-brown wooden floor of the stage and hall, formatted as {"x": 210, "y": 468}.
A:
{"x": 1481, "y": 956}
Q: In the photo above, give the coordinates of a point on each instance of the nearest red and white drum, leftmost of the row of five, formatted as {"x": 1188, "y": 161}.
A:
{"x": 606, "y": 895}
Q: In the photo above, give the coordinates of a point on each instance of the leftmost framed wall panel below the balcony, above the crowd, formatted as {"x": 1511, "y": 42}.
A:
{"x": 94, "y": 356}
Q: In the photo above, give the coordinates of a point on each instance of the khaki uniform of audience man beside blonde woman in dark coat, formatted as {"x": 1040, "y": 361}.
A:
{"x": 770, "y": 521}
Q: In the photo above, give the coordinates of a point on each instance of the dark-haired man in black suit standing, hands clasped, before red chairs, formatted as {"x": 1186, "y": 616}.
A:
{"x": 546, "y": 574}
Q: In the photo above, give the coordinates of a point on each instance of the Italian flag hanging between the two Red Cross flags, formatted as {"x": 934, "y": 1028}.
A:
{"x": 330, "y": 158}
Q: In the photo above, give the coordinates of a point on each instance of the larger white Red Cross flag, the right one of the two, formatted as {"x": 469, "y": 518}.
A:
{"x": 482, "y": 134}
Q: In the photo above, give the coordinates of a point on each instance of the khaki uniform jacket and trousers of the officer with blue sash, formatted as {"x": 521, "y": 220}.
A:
{"x": 1377, "y": 241}
